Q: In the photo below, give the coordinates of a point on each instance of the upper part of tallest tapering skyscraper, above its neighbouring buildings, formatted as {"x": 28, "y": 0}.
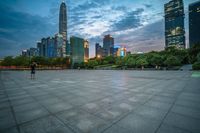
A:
{"x": 63, "y": 20}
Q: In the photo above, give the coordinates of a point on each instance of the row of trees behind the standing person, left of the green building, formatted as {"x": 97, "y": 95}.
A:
{"x": 24, "y": 61}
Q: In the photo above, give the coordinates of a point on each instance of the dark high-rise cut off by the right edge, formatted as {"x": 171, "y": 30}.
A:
{"x": 194, "y": 23}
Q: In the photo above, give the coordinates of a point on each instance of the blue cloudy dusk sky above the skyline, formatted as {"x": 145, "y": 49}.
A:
{"x": 137, "y": 24}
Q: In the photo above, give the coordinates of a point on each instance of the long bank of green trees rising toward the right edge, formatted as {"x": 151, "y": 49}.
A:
{"x": 170, "y": 57}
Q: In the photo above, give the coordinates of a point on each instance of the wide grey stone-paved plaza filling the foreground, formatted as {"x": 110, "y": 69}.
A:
{"x": 100, "y": 101}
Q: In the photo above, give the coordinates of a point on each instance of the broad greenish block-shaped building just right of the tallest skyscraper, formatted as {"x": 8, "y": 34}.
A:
{"x": 77, "y": 50}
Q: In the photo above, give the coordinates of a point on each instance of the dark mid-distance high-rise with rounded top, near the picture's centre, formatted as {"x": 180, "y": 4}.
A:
{"x": 108, "y": 45}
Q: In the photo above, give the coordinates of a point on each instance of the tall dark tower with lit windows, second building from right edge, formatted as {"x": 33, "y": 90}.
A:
{"x": 174, "y": 24}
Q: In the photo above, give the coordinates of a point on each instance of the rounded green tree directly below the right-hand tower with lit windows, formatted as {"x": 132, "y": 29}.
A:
{"x": 172, "y": 61}
